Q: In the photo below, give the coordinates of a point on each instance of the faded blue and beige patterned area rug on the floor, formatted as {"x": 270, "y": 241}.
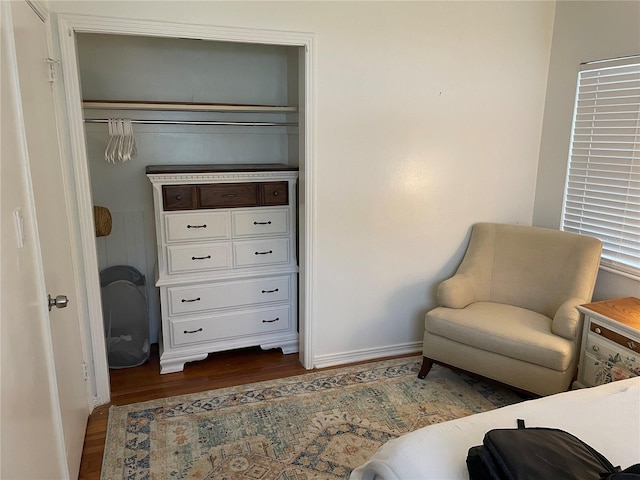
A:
{"x": 316, "y": 426}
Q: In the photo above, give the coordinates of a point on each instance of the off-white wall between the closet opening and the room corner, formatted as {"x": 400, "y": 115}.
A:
{"x": 428, "y": 119}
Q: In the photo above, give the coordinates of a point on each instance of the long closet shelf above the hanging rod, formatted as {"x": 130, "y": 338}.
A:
{"x": 186, "y": 107}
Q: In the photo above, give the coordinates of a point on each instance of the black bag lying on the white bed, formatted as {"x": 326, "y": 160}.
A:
{"x": 540, "y": 453}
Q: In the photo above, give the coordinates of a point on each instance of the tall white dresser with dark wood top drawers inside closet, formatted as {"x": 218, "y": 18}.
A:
{"x": 227, "y": 262}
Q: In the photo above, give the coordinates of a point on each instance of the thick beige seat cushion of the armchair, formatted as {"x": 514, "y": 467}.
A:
{"x": 504, "y": 329}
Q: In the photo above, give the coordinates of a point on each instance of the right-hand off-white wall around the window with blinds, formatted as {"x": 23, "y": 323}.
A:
{"x": 583, "y": 31}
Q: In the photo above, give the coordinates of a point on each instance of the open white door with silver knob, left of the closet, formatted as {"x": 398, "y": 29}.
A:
{"x": 44, "y": 162}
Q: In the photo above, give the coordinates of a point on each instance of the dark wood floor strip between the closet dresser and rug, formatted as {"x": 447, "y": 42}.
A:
{"x": 139, "y": 384}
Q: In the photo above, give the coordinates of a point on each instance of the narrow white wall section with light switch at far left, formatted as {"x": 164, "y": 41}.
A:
{"x": 32, "y": 445}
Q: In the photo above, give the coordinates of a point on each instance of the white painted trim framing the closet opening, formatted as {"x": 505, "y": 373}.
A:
{"x": 77, "y": 171}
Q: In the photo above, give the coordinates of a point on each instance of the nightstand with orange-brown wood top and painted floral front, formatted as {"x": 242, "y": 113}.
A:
{"x": 610, "y": 342}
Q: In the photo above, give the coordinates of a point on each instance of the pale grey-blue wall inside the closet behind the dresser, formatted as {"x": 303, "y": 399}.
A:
{"x": 133, "y": 68}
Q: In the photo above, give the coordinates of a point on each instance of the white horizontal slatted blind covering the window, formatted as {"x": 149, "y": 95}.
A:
{"x": 602, "y": 194}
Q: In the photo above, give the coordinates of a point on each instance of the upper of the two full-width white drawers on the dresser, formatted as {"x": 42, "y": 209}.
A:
{"x": 200, "y": 298}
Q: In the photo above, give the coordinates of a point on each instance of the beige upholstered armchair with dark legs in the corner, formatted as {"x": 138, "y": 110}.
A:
{"x": 509, "y": 313}
